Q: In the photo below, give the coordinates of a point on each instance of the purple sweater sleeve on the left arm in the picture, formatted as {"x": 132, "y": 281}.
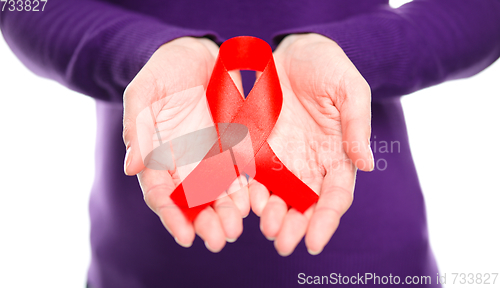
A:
{"x": 92, "y": 47}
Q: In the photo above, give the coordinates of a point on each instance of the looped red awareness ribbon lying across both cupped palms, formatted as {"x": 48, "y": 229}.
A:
{"x": 259, "y": 112}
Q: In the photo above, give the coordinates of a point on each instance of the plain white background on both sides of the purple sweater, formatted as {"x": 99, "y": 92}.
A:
{"x": 46, "y": 172}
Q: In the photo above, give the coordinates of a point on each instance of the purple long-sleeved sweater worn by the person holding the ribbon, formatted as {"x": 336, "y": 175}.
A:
{"x": 97, "y": 47}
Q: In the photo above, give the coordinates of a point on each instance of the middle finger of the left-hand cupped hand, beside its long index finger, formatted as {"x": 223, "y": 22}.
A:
{"x": 208, "y": 226}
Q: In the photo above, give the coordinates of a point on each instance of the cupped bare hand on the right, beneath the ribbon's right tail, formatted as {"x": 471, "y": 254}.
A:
{"x": 322, "y": 136}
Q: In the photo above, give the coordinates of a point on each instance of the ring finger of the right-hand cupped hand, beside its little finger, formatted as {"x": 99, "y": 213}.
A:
{"x": 272, "y": 217}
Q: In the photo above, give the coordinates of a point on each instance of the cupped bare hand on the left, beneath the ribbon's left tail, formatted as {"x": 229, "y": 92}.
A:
{"x": 167, "y": 87}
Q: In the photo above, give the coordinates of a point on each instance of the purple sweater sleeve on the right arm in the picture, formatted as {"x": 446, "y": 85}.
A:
{"x": 422, "y": 43}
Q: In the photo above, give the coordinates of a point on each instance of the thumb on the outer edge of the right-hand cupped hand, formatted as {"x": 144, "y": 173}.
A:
{"x": 355, "y": 117}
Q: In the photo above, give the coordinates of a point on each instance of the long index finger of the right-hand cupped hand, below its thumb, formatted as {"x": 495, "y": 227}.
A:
{"x": 335, "y": 198}
